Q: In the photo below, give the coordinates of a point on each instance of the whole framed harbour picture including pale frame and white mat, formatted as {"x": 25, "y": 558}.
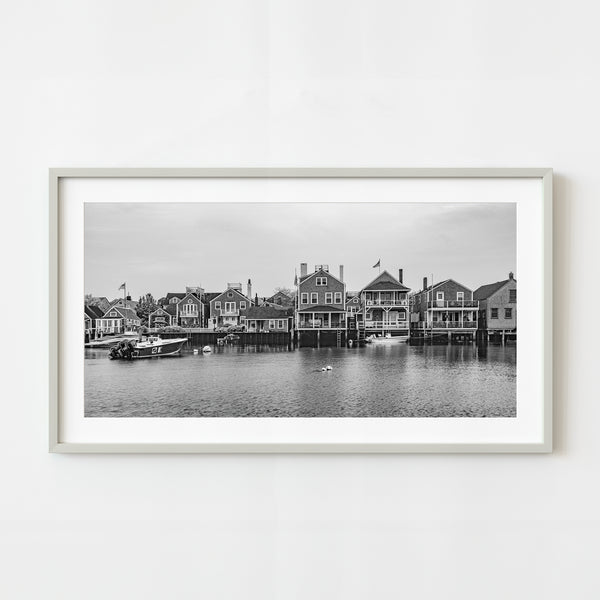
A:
{"x": 300, "y": 310}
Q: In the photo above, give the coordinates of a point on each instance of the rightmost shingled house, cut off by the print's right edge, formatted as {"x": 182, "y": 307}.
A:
{"x": 498, "y": 308}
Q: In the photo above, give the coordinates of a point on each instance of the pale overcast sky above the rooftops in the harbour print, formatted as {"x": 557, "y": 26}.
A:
{"x": 162, "y": 247}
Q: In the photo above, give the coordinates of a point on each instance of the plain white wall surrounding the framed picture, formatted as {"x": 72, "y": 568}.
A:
{"x": 298, "y": 83}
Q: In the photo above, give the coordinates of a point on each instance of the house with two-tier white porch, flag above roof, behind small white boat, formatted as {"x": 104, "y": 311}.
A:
{"x": 384, "y": 305}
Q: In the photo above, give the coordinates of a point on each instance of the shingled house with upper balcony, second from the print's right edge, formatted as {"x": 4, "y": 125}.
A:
{"x": 444, "y": 307}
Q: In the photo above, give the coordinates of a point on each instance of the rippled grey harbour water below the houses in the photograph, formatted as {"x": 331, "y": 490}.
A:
{"x": 376, "y": 381}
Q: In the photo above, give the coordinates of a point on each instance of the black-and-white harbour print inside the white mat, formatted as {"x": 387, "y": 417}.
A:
{"x": 300, "y": 310}
